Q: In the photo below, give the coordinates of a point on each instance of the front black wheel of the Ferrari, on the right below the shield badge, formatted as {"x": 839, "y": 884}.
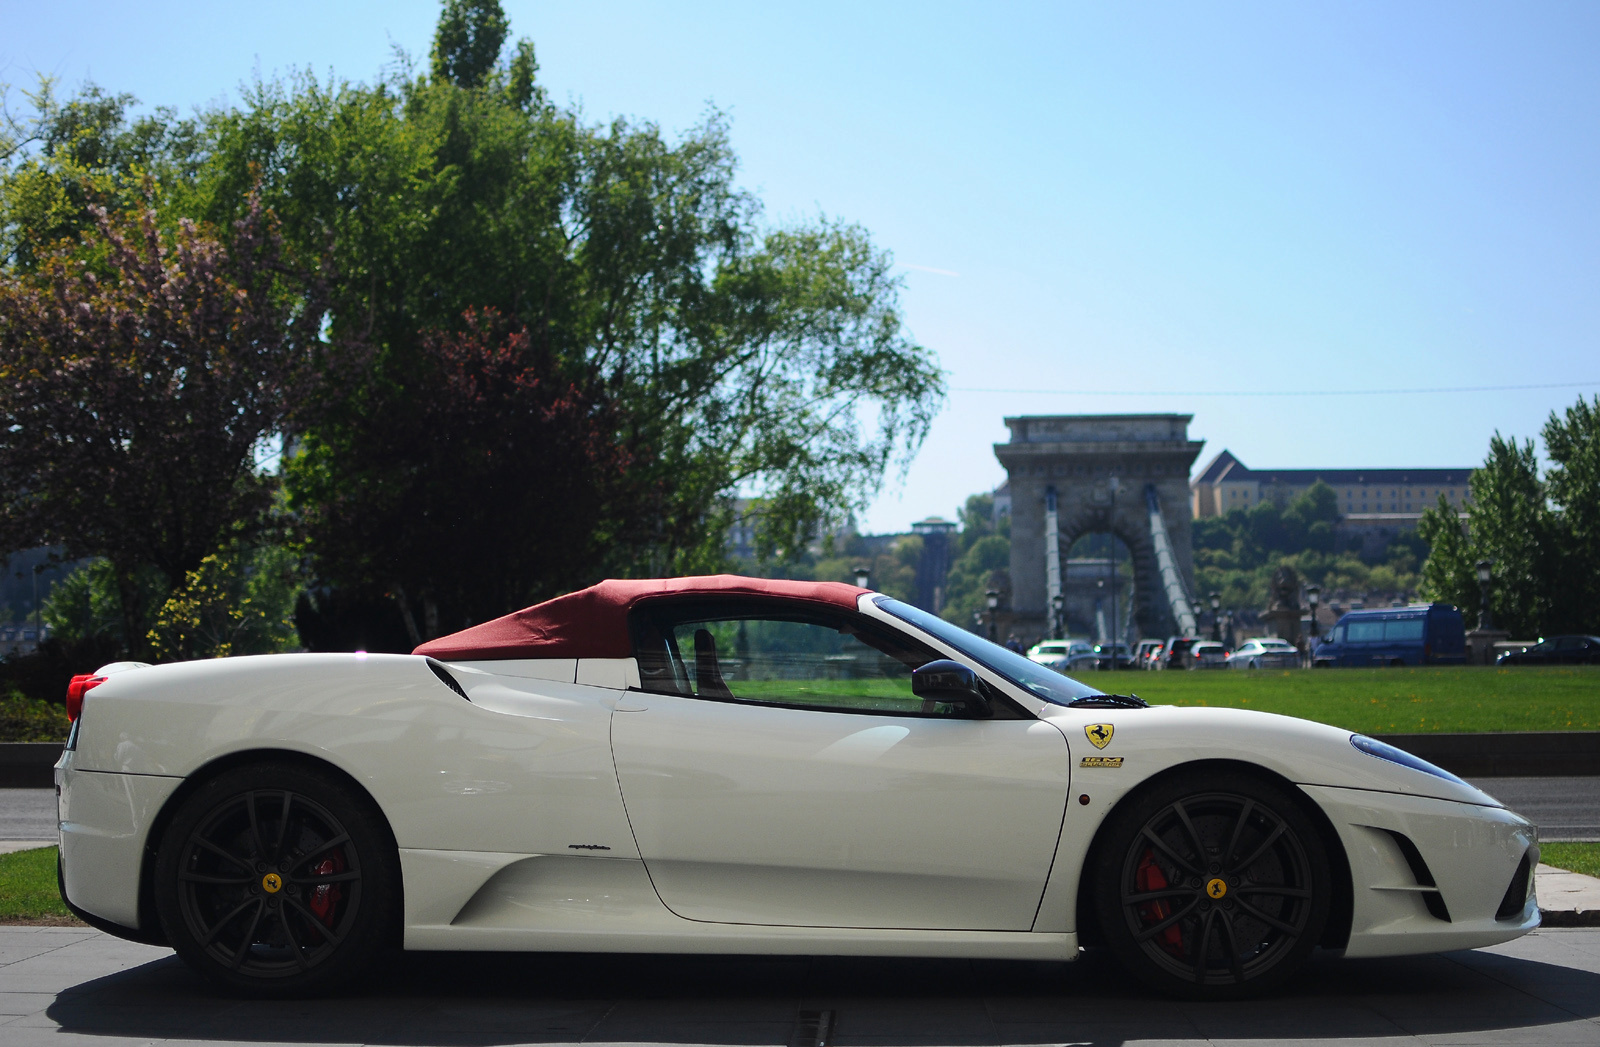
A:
{"x": 1156, "y": 886}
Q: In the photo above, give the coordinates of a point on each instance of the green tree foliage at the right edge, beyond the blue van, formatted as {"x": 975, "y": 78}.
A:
{"x": 1542, "y": 534}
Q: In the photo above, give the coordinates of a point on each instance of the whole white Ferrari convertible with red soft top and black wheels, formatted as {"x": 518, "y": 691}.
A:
{"x": 745, "y": 766}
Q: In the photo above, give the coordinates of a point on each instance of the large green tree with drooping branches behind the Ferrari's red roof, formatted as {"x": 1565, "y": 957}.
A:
{"x": 729, "y": 355}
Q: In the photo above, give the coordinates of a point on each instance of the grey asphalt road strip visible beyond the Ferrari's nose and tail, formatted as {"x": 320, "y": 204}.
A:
{"x": 1566, "y": 809}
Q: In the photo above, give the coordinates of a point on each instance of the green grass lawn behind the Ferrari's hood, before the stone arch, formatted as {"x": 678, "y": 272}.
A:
{"x": 1388, "y": 702}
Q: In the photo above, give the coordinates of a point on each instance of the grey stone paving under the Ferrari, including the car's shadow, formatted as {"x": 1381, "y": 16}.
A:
{"x": 79, "y": 989}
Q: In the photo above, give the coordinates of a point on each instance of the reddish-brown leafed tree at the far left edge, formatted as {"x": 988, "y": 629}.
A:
{"x": 138, "y": 374}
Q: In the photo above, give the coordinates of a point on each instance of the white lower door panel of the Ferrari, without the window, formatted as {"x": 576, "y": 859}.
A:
{"x": 815, "y": 819}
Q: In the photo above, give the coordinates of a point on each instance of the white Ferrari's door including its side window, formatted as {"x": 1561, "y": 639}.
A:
{"x": 782, "y": 772}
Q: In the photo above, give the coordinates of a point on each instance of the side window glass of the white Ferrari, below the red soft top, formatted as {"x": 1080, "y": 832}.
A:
{"x": 775, "y": 656}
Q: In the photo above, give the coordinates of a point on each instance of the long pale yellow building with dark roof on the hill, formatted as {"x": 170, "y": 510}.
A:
{"x": 1377, "y": 505}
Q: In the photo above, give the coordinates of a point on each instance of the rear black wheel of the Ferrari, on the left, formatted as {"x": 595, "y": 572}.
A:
{"x": 278, "y": 880}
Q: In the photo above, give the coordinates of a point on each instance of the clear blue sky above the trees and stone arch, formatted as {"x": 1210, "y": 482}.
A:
{"x": 1094, "y": 204}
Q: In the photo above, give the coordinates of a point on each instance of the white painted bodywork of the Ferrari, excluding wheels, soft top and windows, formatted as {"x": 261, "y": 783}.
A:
{"x": 759, "y": 830}
